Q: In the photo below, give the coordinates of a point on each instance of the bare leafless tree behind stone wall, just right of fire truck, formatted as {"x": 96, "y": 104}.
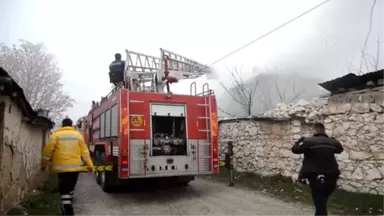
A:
{"x": 241, "y": 93}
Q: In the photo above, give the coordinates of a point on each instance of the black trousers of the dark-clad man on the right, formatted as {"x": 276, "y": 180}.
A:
{"x": 321, "y": 189}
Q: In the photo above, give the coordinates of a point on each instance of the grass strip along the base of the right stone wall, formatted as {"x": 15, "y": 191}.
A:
{"x": 341, "y": 202}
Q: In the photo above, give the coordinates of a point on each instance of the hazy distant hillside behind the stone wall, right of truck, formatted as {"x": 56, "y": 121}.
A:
{"x": 271, "y": 90}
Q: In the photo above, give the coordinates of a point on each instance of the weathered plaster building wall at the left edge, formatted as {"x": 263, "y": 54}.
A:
{"x": 19, "y": 156}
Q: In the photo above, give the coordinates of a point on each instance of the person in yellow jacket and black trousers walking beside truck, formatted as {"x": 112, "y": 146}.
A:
{"x": 67, "y": 153}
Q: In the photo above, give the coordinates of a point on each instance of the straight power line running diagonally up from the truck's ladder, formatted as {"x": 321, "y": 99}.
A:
{"x": 270, "y": 32}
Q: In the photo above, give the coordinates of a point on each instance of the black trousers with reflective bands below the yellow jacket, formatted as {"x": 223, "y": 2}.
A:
{"x": 67, "y": 183}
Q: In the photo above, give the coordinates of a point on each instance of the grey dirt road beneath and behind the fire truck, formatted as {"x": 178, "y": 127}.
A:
{"x": 200, "y": 198}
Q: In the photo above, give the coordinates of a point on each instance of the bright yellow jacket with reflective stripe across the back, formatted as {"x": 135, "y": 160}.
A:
{"x": 66, "y": 151}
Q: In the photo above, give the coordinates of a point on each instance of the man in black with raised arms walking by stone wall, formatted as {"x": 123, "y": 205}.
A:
{"x": 319, "y": 165}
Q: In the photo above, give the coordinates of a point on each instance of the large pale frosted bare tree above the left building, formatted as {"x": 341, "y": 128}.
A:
{"x": 37, "y": 72}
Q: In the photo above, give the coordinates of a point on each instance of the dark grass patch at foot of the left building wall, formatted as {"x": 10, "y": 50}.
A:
{"x": 43, "y": 203}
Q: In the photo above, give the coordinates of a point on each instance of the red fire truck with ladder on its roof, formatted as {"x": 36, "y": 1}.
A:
{"x": 142, "y": 130}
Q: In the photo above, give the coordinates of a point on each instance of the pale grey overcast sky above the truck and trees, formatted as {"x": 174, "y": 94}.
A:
{"x": 84, "y": 35}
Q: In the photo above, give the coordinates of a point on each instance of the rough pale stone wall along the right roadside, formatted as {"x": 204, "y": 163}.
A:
{"x": 262, "y": 144}
